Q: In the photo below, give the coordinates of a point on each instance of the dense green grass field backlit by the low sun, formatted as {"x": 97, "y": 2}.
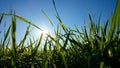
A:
{"x": 95, "y": 47}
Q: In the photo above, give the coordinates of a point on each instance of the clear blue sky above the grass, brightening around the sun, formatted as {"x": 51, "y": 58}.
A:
{"x": 72, "y": 12}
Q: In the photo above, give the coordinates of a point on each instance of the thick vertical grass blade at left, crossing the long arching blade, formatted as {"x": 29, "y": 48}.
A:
{"x": 13, "y": 41}
